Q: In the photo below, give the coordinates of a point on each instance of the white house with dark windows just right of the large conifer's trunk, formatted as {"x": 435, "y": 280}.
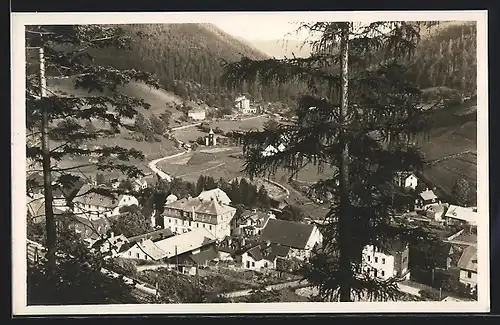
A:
{"x": 387, "y": 263}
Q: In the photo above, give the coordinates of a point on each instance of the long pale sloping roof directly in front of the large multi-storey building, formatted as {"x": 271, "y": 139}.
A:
{"x": 185, "y": 242}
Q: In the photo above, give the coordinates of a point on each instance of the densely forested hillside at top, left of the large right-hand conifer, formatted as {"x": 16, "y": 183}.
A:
{"x": 188, "y": 60}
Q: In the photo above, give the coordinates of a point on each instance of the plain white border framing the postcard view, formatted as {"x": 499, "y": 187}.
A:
{"x": 19, "y": 20}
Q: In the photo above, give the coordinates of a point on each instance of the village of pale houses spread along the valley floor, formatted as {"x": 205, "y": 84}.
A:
{"x": 207, "y": 235}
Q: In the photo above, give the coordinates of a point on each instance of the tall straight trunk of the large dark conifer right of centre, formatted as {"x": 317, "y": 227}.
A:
{"x": 344, "y": 217}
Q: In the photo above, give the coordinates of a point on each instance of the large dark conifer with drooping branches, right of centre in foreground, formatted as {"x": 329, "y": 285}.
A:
{"x": 360, "y": 118}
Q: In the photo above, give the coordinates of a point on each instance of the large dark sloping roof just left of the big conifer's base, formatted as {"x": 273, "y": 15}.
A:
{"x": 287, "y": 233}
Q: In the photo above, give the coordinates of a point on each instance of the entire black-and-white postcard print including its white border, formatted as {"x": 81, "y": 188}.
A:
{"x": 232, "y": 162}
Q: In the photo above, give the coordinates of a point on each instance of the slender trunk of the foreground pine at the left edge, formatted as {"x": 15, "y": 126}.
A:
{"x": 50, "y": 224}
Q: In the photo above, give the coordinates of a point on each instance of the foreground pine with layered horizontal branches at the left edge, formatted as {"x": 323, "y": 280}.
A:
{"x": 66, "y": 52}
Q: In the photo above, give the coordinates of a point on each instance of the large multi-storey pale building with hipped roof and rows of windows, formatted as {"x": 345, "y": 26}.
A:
{"x": 196, "y": 213}
